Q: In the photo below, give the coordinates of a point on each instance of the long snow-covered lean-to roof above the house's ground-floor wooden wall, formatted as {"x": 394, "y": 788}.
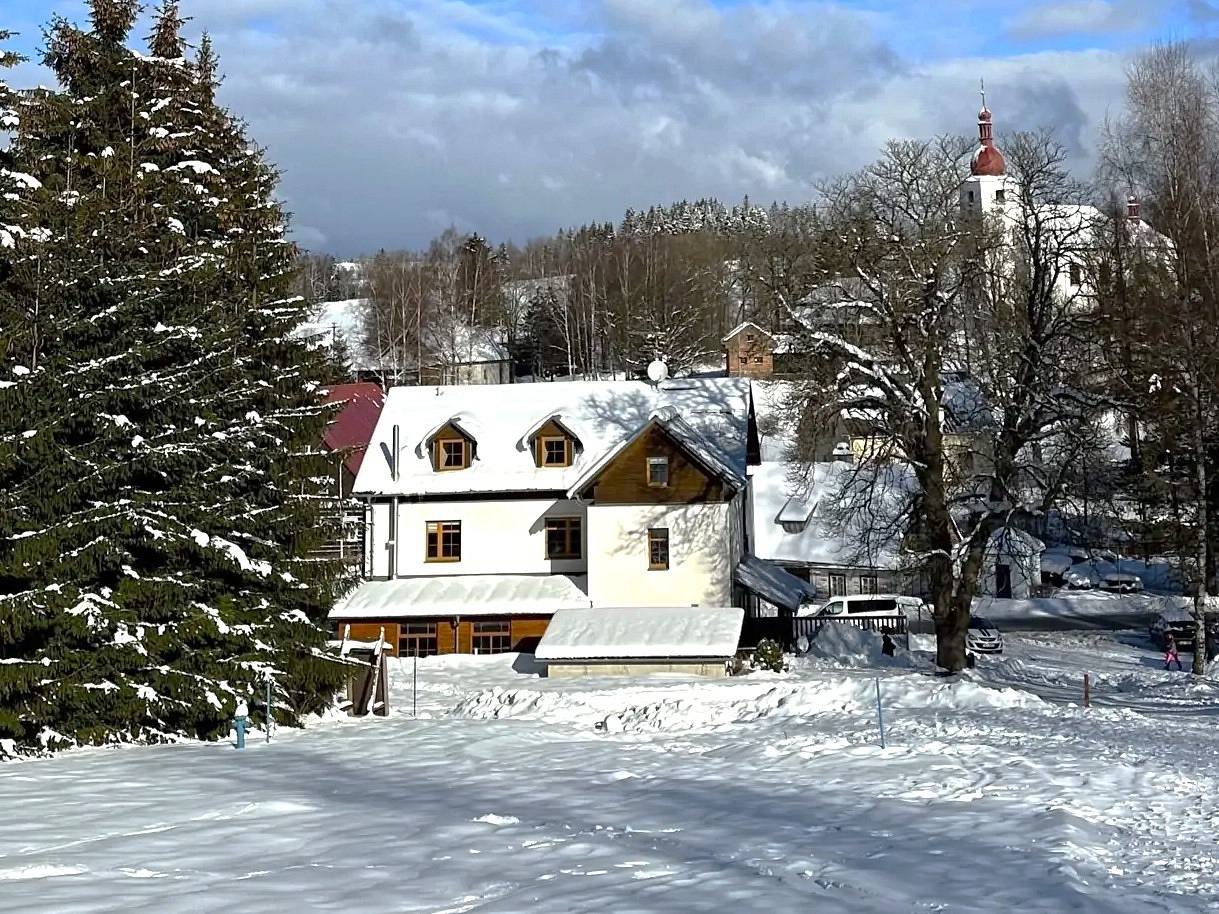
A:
{"x": 464, "y": 595}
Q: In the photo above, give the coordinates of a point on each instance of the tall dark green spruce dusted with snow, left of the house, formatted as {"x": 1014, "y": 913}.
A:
{"x": 162, "y": 495}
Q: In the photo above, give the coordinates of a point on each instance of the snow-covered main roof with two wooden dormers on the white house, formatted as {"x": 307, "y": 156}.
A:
{"x": 711, "y": 413}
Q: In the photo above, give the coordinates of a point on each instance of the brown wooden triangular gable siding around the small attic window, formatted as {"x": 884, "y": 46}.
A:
{"x": 625, "y": 481}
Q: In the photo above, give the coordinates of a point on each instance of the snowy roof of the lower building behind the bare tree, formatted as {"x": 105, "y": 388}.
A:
{"x": 870, "y": 538}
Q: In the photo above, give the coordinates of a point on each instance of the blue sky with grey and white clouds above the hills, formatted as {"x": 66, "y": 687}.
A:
{"x": 396, "y": 119}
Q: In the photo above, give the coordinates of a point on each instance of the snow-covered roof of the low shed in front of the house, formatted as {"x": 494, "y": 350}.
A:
{"x": 644, "y": 633}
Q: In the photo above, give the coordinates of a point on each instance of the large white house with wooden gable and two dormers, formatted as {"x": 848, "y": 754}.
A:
{"x": 491, "y": 508}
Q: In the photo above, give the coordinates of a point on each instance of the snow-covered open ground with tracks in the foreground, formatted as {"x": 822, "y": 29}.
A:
{"x": 766, "y": 793}
